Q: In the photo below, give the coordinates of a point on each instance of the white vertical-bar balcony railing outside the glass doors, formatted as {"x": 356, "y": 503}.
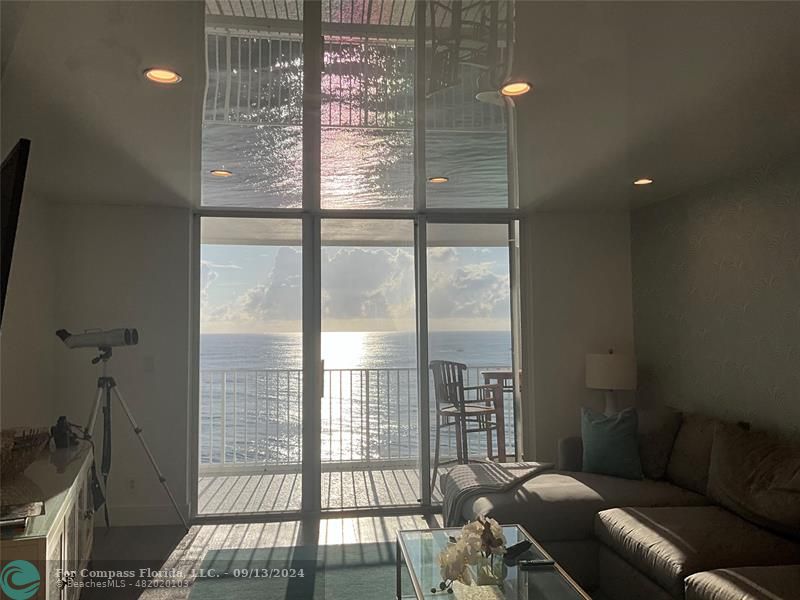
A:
{"x": 252, "y": 419}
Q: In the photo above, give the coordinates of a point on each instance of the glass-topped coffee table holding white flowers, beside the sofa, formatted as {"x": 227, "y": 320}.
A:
{"x": 420, "y": 549}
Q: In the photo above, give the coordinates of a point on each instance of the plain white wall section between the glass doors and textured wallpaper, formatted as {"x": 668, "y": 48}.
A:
{"x": 576, "y": 299}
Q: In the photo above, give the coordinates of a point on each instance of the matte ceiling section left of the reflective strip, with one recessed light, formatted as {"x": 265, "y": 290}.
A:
{"x": 100, "y": 133}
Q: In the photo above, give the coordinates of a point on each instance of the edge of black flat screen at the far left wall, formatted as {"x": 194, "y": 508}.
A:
{"x": 13, "y": 179}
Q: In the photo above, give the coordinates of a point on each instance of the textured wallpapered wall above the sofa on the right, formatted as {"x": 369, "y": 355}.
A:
{"x": 716, "y": 296}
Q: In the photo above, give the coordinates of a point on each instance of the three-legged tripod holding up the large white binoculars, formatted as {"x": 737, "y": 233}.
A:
{"x": 106, "y": 388}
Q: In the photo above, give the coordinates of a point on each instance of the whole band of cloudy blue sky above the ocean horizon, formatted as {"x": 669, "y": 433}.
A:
{"x": 257, "y": 289}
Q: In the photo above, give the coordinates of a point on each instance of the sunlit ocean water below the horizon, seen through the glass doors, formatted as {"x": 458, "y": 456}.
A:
{"x": 251, "y": 394}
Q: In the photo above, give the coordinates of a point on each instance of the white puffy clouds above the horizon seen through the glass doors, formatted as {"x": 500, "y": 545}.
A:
{"x": 368, "y": 284}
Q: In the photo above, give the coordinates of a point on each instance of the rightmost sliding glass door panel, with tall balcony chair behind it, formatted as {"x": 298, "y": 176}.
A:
{"x": 469, "y": 322}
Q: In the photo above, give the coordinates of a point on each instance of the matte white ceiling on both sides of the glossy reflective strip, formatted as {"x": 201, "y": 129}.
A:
{"x": 684, "y": 93}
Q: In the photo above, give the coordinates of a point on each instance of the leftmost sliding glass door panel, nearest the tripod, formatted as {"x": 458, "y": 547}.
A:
{"x": 251, "y": 366}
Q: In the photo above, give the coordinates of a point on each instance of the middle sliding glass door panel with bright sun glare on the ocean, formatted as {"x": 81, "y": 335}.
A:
{"x": 370, "y": 405}
